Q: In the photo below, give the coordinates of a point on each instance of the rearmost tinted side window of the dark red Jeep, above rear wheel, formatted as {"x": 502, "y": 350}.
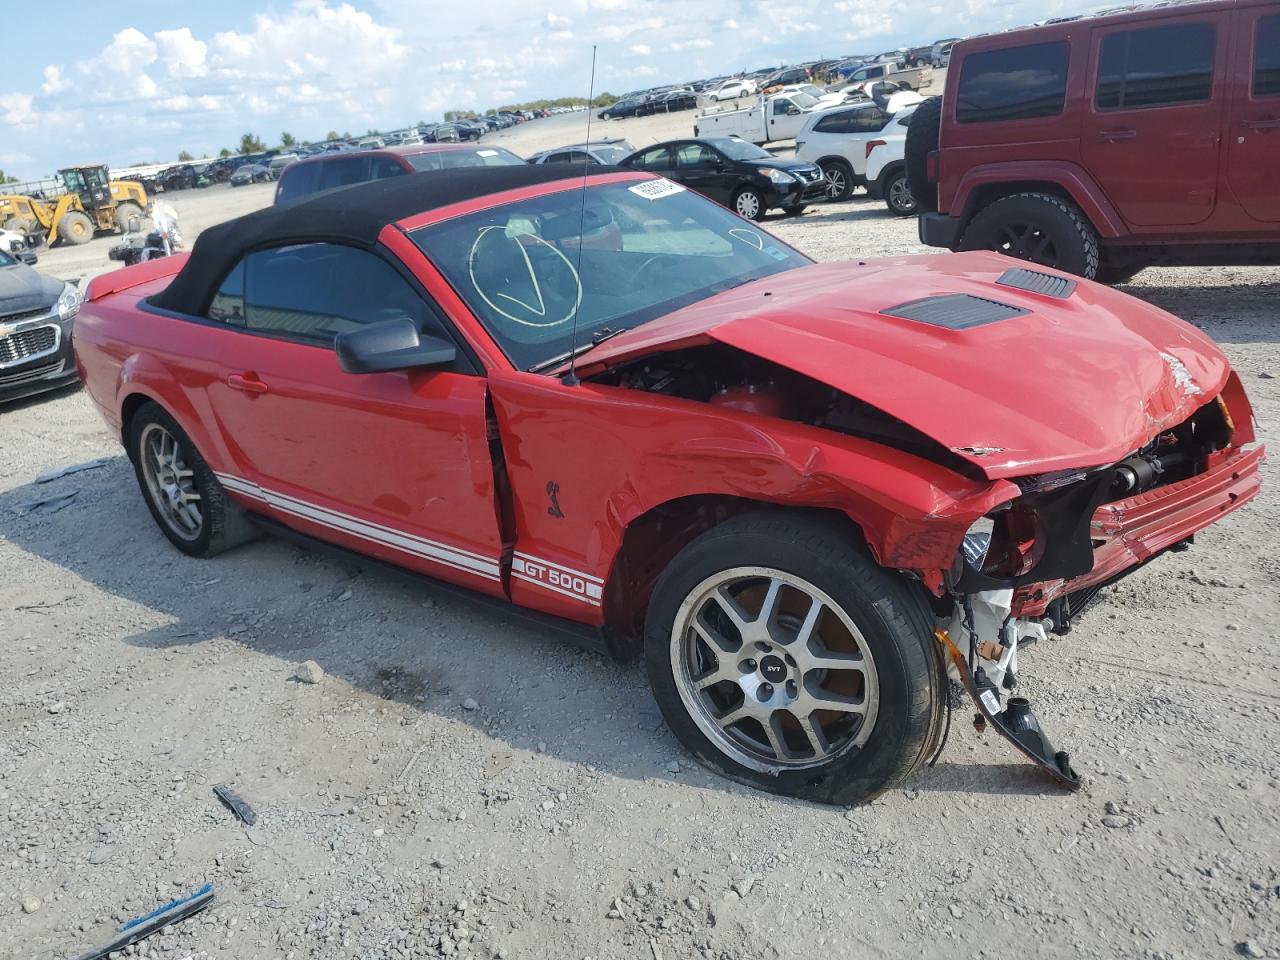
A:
{"x": 1017, "y": 84}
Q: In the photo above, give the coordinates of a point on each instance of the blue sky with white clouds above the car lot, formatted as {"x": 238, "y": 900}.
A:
{"x": 143, "y": 81}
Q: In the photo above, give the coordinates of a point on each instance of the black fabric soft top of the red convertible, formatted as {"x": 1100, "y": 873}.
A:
{"x": 353, "y": 216}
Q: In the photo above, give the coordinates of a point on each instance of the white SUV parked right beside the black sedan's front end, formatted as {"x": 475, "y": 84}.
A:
{"x": 839, "y": 140}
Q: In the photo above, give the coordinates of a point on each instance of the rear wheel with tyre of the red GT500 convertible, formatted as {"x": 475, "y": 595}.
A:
{"x": 186, "y": 500}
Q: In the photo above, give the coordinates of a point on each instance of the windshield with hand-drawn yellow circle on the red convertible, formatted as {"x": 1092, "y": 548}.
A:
{"x": 647, "y": 249}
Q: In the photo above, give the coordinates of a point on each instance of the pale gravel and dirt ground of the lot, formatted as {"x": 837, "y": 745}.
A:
{"x": 455, "y": 785}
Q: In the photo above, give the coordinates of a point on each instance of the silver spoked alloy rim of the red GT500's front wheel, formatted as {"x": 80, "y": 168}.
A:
{"x": 772, "y": 671}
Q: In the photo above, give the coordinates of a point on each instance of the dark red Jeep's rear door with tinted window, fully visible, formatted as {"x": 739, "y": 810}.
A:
{"x": 1153, "y": 132}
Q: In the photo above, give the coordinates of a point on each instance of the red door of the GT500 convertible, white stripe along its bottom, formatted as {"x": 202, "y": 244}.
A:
{"x": 396, "y": 465}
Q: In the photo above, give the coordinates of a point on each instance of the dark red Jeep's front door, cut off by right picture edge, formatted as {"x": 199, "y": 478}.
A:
{"x": 1254, "y": 135}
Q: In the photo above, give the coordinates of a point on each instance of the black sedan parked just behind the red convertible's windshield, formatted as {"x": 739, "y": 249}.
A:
{"x": 735, "y": 173}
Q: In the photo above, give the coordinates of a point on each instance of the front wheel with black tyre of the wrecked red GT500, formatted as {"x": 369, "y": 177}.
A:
{"x": 784, "y": 657}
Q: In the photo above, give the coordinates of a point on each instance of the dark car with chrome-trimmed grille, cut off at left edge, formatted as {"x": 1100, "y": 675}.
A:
{"x": 36, "y": 316}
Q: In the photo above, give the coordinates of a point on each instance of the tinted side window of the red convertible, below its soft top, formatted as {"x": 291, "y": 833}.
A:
{"x": 316, "y": 291}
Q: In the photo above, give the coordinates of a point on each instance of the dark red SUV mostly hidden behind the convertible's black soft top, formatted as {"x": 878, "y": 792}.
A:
{"x": 348, "y": 167}
